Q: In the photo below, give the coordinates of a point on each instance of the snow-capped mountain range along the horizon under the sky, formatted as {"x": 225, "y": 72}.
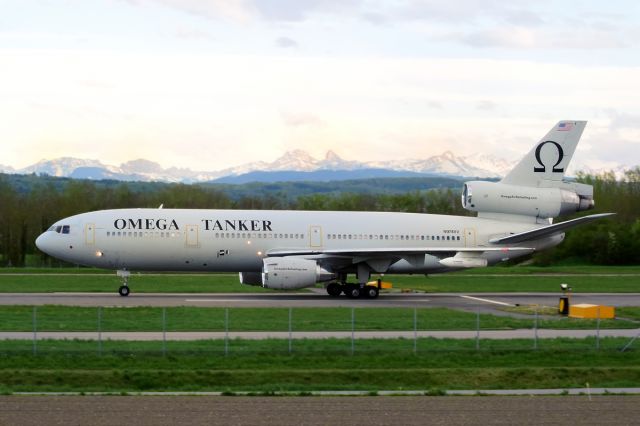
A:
{"x": 447, "y": 163}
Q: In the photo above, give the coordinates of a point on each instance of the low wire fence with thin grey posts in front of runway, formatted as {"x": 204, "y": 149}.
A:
{"x": 228, "y": 331}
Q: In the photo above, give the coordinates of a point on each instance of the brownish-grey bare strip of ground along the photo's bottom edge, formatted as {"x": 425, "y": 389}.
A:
{"x": 324, "y": 410}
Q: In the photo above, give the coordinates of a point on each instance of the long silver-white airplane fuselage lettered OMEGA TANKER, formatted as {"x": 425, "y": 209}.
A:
{"x": 239, "y": 240}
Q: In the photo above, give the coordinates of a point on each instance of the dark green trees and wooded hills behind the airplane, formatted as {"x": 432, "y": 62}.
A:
{"x": 30, "y": 204}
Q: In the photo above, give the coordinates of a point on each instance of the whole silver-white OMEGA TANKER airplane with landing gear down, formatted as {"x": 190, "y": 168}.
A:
{"x": 297, "y": 249}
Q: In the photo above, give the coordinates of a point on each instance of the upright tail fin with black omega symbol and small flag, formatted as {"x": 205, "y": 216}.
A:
{"x": 548, "y": 160}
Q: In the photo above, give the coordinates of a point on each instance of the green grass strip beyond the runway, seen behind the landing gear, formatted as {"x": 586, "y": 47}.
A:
{"x": 582, "y": 279}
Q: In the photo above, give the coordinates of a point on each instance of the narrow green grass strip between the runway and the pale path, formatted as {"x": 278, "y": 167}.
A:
{"x": 65, "y": 318}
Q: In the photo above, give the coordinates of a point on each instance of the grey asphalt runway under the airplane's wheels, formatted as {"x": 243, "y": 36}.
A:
{"x": 317, "y": 298}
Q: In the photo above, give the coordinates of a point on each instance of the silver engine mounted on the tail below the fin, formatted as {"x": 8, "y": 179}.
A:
{"x": 543, "y": 203}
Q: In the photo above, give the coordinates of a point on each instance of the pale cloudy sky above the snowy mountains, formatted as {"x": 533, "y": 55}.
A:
{"x": 213, "y": 84}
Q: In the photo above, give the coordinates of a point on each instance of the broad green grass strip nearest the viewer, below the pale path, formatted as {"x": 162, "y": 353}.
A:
{"x": 263, "y": 367}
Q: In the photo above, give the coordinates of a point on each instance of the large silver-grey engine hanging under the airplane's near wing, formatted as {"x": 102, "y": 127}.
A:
{"x": 292, "y": 273}
